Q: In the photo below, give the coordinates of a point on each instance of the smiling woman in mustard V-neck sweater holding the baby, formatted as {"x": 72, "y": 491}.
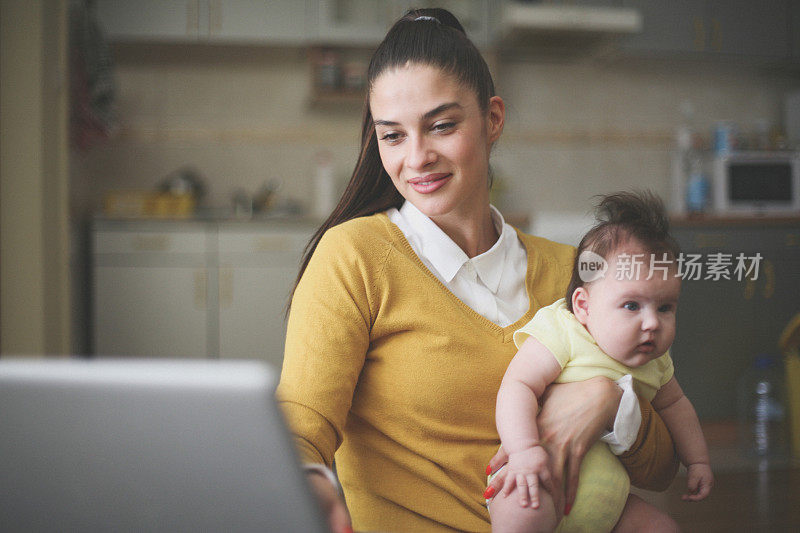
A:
{"x": 401, "y": 322}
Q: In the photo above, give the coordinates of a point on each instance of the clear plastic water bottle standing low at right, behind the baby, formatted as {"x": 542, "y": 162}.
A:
{"x": 763, "y": 429}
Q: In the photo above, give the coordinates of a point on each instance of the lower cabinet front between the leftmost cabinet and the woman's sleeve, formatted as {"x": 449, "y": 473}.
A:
{"x": 256, "y": 274}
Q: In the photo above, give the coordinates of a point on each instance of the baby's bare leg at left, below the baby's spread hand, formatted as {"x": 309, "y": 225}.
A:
{"x": 508, "y": 516}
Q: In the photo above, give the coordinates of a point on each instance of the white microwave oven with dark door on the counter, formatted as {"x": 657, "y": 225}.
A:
{"x": 756, "y": 182}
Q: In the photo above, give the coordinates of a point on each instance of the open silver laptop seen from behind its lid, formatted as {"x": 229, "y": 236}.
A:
{"x": 147, "y": 445}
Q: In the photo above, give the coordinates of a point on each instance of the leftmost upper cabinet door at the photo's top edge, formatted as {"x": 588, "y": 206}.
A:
{"x": 157, "y": 20}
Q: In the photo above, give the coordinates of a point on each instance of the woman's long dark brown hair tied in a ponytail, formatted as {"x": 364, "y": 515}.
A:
{"x": 422, "y": 36}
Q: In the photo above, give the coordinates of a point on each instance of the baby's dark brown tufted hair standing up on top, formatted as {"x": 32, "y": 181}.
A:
{"x": 623, "y": 217}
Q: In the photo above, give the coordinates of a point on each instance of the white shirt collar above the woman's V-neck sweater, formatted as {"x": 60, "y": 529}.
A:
{"x": 445, "y": 255}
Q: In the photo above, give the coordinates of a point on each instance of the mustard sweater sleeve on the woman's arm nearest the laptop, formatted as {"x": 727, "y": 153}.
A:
{"x": 326, "y": 342}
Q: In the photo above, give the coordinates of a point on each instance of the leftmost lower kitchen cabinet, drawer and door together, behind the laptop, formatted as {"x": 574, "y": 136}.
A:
{"x": 150, "y": 292}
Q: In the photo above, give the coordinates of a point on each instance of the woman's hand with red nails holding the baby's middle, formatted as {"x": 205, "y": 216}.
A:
{"x": 572, "y": 418}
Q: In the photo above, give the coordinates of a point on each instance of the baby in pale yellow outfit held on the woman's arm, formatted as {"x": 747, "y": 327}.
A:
{"x": 613, "y": 322}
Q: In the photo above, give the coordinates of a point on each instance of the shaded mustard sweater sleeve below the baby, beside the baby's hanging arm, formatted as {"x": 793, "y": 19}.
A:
{"x": 652, "y": 461}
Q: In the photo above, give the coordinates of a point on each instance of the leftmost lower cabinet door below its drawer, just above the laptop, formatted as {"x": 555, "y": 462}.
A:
{"x": 150, "y": 311}
